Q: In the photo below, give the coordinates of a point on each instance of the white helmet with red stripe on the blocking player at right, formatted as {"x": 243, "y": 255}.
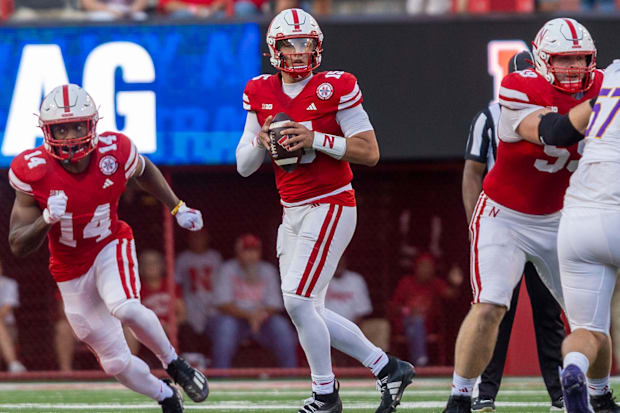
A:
{"x": 564, "y": 36}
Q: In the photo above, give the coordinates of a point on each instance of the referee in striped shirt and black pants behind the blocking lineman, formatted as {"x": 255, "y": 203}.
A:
{"x": 479, "y": 159}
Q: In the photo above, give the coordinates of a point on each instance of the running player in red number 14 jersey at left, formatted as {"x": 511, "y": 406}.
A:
{"x": 68, "y": 190}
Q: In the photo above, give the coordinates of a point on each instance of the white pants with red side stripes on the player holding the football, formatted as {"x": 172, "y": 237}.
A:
{"x": 311, "y": 241}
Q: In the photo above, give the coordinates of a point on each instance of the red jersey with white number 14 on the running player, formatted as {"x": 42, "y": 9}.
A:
{"x": 91, "y": 220}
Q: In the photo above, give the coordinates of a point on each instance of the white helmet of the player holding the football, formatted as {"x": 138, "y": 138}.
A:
{"x": 296, "y": 29}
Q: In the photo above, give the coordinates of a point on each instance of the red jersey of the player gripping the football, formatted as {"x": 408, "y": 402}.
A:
{"x": 315, "y": 107}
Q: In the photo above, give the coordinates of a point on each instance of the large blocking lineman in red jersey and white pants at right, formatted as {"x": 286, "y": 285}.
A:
{"x": 517, "y": 215}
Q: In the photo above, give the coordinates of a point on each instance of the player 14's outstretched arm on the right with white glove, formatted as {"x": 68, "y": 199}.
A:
{"x": 150, "y": 179}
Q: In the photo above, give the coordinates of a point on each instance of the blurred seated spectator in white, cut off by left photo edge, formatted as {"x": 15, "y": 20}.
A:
{"x": 9, "y": 300}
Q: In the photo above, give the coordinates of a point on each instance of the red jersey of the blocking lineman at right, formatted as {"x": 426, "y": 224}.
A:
{"x": 531, "y": 178}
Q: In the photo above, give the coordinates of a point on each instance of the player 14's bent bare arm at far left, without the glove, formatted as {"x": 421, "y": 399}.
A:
{"x": 27, "y": 227}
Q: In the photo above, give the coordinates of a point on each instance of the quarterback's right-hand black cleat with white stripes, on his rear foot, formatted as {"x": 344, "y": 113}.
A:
{"x": 391, "y": 382}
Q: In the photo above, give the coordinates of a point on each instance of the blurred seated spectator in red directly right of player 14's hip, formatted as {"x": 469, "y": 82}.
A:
{"x": 155, "y": 295}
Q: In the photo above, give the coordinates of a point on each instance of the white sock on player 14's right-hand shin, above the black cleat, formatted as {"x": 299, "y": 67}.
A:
{"x": 148, "y": 330}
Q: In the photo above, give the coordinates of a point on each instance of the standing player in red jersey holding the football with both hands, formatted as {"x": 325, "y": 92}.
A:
{"x": 319, "y": 217}
